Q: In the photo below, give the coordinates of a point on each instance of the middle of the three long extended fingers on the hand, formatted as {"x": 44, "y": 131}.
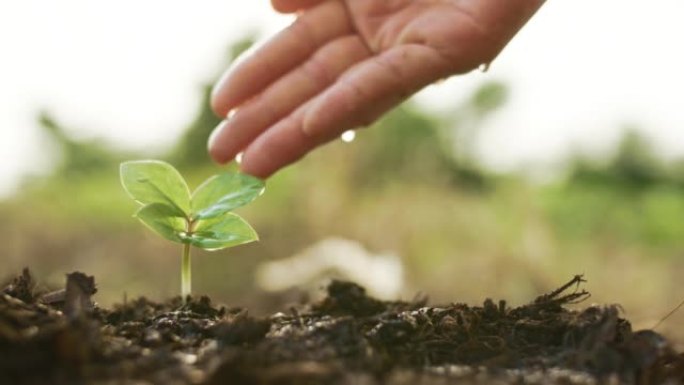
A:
{"x": 285, "y": 95}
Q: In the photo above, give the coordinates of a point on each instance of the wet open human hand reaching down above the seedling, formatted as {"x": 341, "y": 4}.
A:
{"x": 344, "y": 63}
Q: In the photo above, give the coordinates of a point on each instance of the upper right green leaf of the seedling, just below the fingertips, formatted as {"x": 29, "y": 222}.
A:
{"x": 223, "y": 193}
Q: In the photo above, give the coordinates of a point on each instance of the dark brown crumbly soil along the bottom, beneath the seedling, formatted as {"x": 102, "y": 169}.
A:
{"x": 62, "y": 337}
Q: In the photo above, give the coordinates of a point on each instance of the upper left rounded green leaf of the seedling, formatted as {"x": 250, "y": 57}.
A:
{"x": 153, "y": 181}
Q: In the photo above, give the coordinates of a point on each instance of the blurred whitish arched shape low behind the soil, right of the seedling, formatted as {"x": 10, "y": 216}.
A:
{"x": 381, "y": 274}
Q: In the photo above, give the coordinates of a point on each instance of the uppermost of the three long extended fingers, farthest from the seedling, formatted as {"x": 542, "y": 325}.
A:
{"x": 279, "y": 55}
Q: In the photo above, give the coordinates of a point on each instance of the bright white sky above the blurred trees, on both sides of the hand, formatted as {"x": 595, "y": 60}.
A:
{"x": 129, "y": 71}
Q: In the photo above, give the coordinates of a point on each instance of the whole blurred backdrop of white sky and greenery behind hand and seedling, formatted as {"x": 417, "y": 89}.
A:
{"x": 564, "y": 158}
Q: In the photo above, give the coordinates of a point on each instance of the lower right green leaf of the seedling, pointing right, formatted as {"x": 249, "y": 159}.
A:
{"x": 221, "y": 232}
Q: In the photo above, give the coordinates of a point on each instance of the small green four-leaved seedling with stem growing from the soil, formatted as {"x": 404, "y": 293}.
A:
{"x": 203, "y": 219}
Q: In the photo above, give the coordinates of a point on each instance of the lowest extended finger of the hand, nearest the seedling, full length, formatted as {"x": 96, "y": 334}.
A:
{"x": 358, "y": 97}
